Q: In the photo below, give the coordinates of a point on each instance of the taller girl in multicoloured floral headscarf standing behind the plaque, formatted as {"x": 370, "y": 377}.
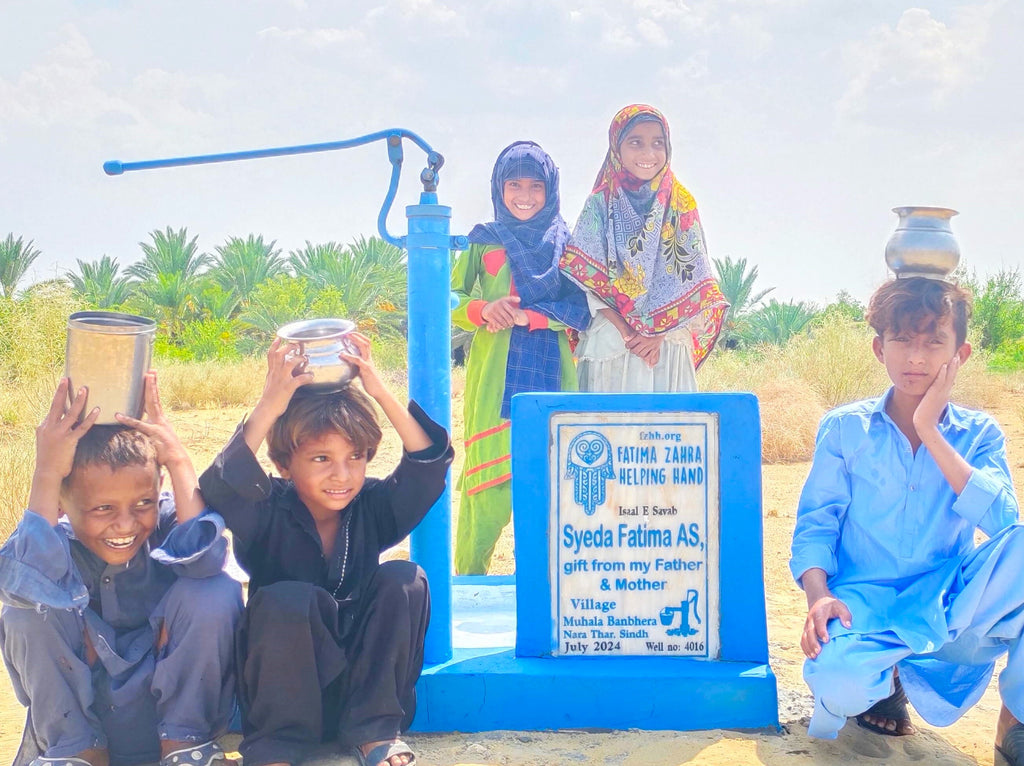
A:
{"x": 638, "y": 250}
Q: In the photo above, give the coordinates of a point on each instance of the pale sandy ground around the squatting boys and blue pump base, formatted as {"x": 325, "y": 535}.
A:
{"x": 968, "y": 742}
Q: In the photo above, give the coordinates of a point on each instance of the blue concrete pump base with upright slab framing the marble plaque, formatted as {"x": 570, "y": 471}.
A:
{"x": 502, "y": 674}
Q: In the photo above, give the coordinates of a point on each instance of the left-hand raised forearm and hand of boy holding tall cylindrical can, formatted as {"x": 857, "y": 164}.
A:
{"x": 57, "y": 439}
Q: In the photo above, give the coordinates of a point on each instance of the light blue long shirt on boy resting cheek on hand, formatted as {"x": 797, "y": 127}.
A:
{"x": 885, "y": 525}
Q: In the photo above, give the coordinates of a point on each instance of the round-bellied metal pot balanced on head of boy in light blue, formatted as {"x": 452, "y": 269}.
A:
{"x": 923, "y": 244}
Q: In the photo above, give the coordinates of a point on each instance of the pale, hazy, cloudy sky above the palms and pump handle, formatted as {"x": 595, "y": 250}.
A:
{"x": 798, "y": 125}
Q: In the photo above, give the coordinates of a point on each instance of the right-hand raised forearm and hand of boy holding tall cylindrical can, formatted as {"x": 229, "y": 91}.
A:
{"x": 172, "y": 454}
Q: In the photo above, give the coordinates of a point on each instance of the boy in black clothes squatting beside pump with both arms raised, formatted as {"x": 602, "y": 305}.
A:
{"x": 331, "y": 644}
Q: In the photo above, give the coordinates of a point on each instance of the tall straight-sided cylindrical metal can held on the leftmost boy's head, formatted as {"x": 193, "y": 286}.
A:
{"x": 110, "y": 354}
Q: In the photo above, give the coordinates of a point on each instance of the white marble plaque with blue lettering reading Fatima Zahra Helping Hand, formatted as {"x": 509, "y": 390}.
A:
{"x": 634, "y": 537}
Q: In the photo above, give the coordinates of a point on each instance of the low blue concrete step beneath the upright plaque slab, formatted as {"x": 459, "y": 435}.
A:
{"x": 489, "y": 690}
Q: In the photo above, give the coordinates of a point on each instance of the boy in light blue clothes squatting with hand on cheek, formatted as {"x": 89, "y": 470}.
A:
{"x": 899, "y": 595}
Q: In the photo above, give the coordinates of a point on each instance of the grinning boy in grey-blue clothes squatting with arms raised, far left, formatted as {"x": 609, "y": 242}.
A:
{"x": 118, "y": 622}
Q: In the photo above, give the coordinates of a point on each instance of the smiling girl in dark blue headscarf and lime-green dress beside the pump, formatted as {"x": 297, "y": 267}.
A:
{"x": 519, "y": 306}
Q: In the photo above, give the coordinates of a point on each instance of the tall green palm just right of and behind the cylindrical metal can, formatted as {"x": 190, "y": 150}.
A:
{"x": 168, "y": 274}
